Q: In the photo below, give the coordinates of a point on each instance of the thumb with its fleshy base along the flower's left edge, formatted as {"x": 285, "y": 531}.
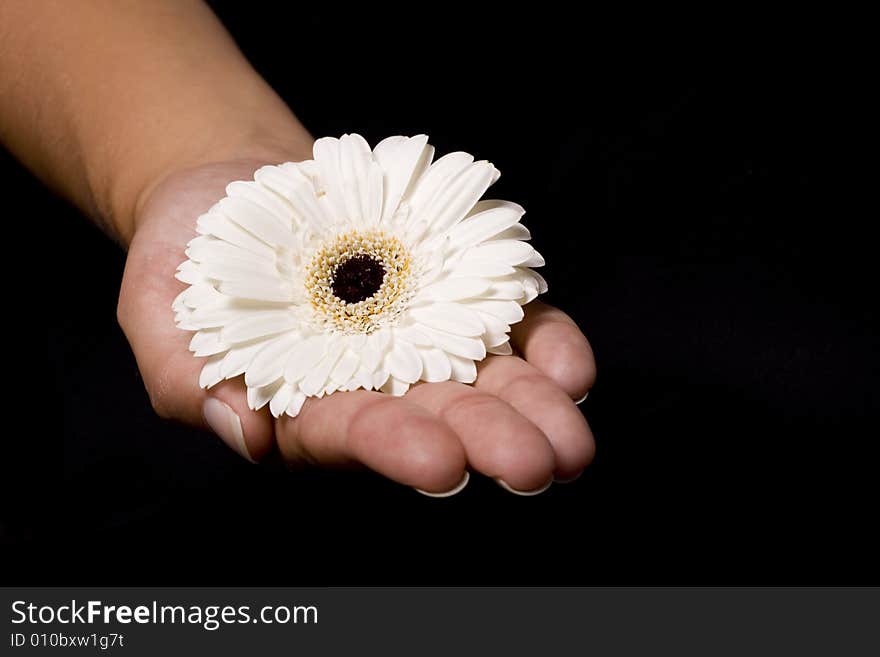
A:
{"x": 171, "y": 373}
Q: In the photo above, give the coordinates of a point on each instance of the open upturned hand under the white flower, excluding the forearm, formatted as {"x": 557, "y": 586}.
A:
{"x": 517, "y": 423}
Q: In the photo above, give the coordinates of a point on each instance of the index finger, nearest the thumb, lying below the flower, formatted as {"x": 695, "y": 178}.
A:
{"x": 389, "y": 435}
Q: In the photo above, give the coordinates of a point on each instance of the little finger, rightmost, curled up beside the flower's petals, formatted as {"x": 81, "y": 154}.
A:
{"x": 551, "y": 341}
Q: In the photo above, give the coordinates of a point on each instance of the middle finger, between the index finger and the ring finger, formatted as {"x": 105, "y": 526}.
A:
{"x": 499, "y": 442}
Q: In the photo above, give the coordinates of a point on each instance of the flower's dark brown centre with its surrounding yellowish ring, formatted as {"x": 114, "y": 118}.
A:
{"x": 359, "y": 281}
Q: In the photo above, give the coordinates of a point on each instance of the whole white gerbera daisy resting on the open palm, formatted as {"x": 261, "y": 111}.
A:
{"x": 358, "y": 269}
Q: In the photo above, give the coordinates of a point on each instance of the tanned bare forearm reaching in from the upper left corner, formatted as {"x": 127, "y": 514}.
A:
{"x": 104, "y": 98}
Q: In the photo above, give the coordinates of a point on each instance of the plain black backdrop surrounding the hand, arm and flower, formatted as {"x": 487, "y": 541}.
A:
{"x": 677, "y": 178}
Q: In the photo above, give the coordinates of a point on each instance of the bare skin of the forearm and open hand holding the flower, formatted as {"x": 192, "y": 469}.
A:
{"x": 140, "y": 112}
